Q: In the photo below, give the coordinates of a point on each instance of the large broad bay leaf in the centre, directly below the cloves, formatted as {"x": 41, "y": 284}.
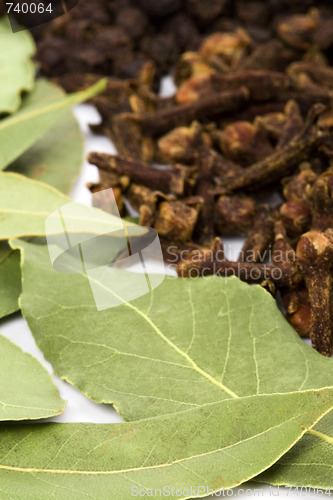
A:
{"x": 187, "y": 343}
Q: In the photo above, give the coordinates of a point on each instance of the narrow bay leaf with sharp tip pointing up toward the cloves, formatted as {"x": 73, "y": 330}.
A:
{"x": 20, "y": 131}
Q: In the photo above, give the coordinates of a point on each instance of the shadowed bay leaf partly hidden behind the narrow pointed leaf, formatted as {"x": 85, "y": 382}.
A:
{"x": 57, "y": 157}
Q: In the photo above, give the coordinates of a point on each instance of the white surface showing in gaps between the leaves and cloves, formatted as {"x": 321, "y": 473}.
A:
{"x": 79, "y": 408}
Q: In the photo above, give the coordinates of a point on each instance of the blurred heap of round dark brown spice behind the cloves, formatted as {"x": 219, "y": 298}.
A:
{"x": 118, "y": 37}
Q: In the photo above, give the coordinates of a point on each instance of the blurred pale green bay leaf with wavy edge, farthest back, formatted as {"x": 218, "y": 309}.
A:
{"x": 17, "y": 71}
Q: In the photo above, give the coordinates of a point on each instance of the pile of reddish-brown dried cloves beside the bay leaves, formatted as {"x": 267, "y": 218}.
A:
{"x": 250, "y": 117}
